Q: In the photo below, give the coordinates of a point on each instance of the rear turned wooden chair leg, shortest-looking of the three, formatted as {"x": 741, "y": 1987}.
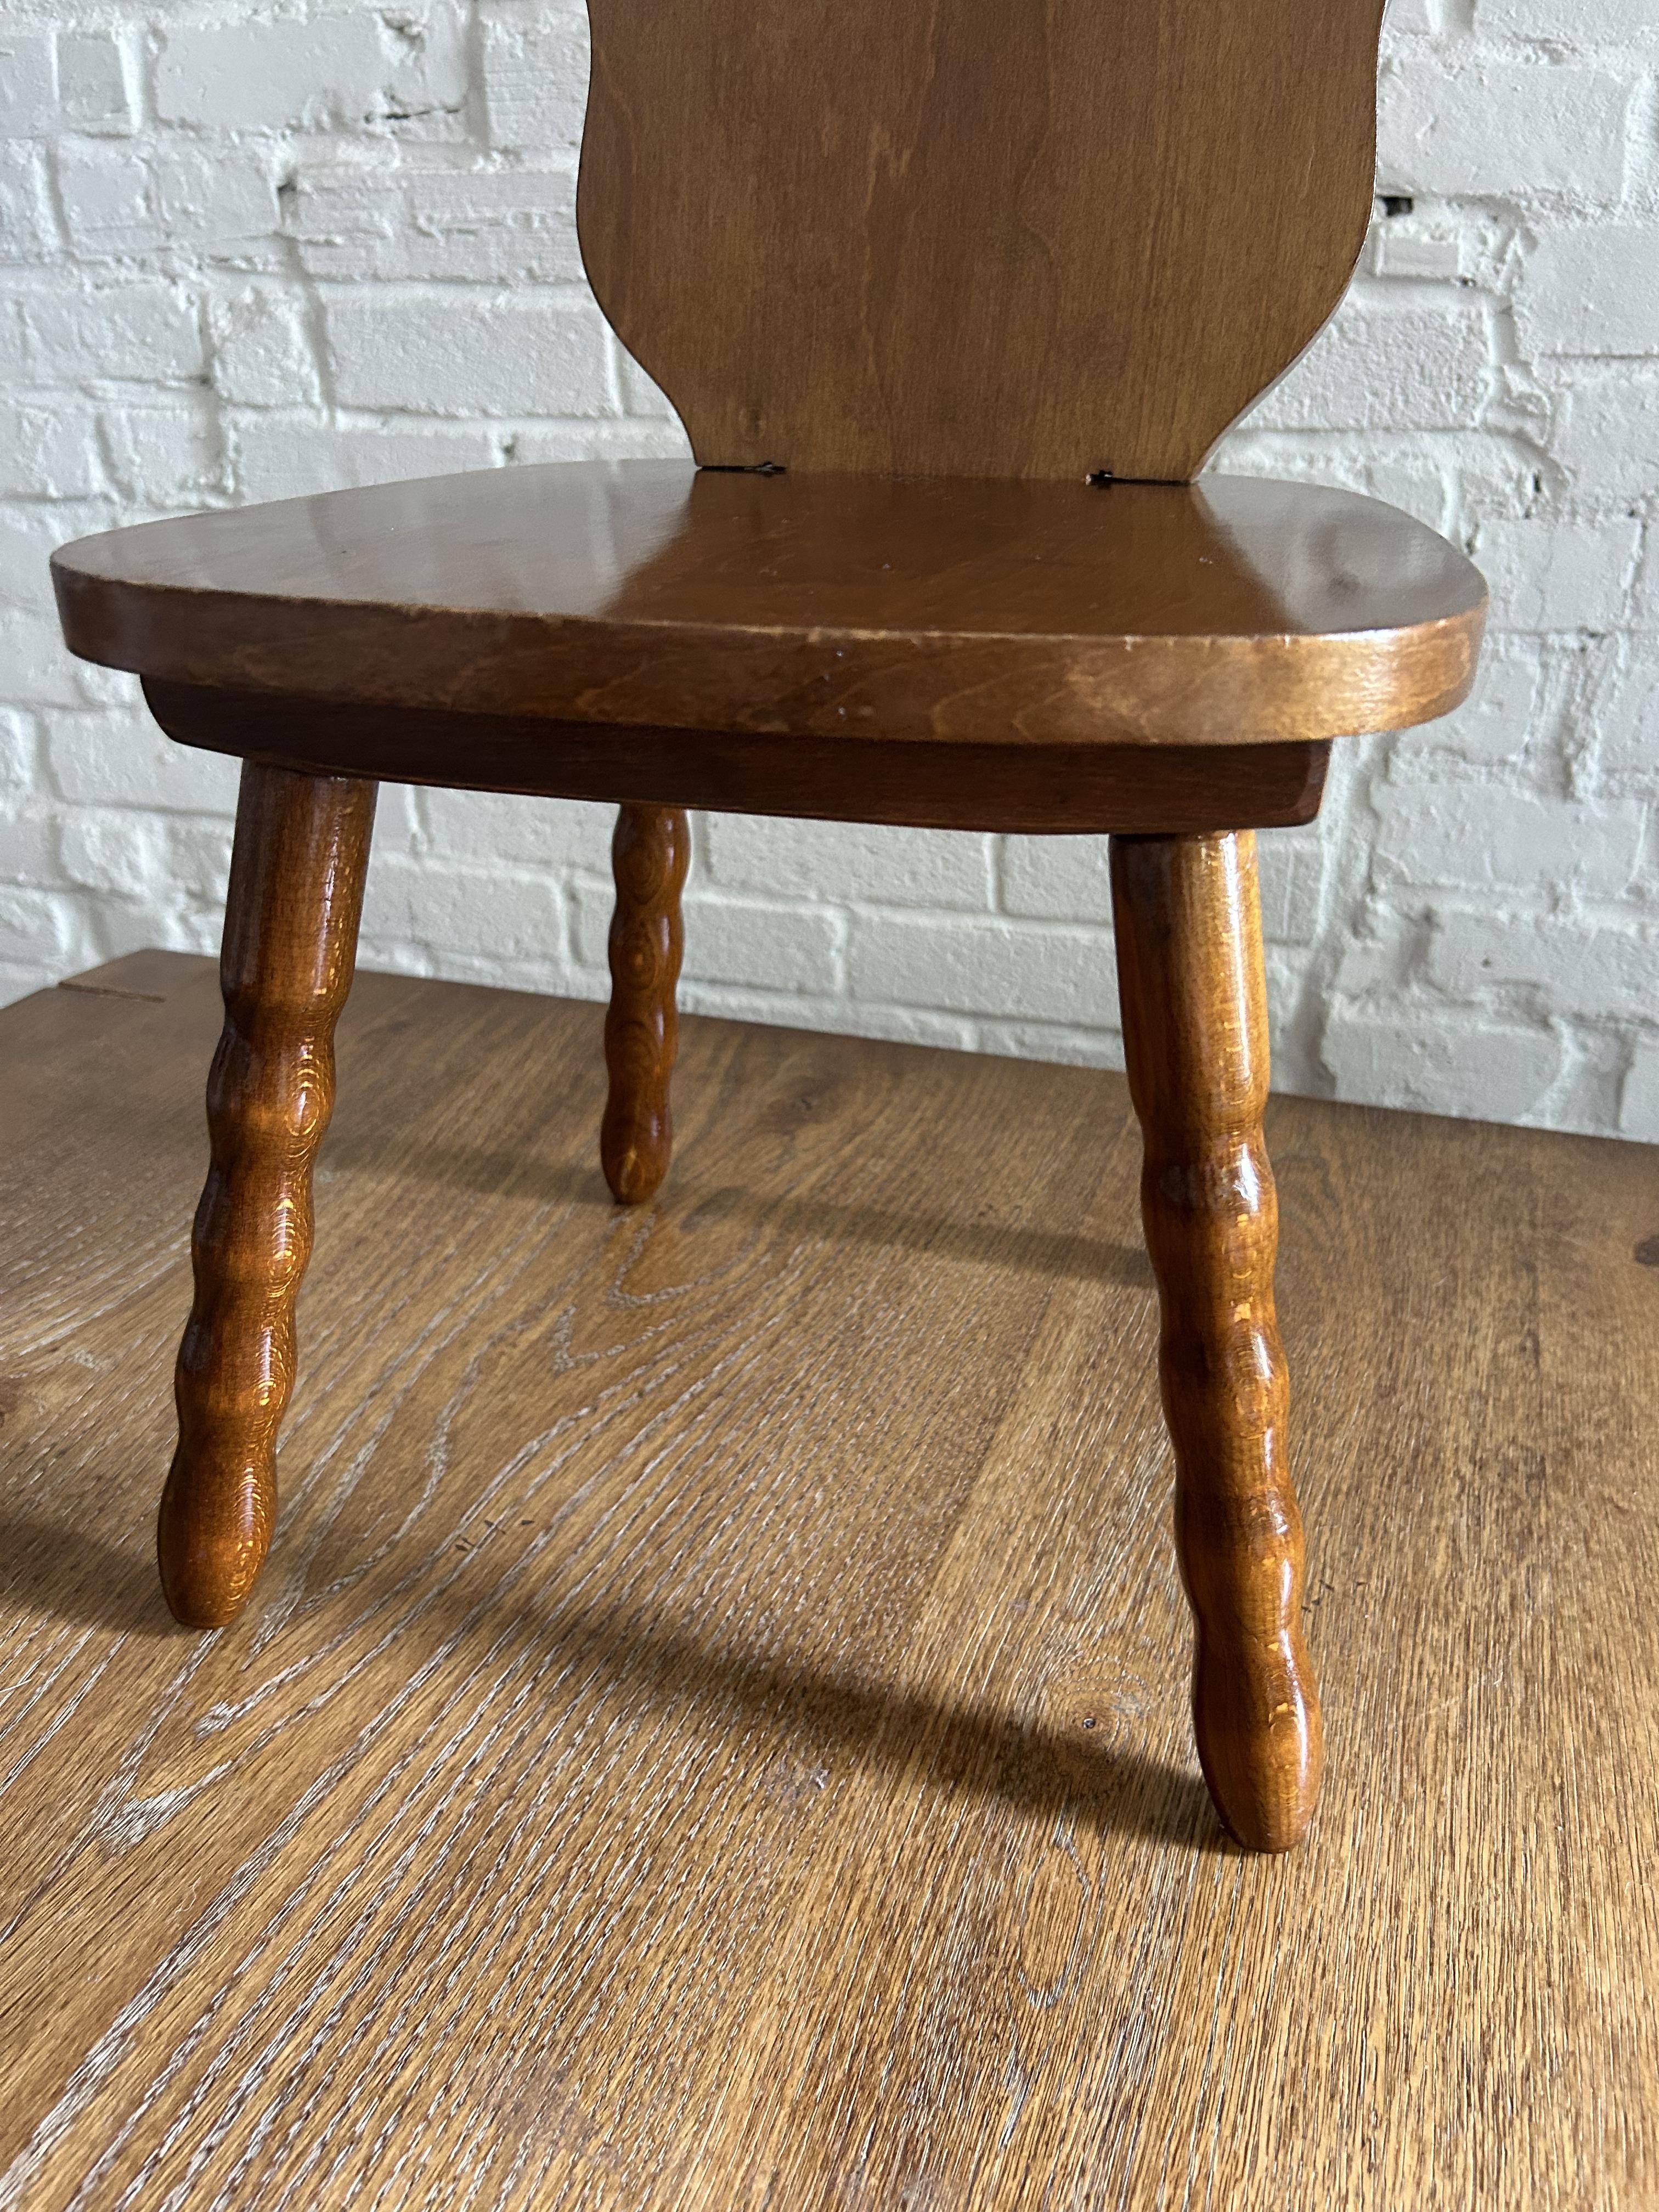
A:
{"x": 643, "y": 1030}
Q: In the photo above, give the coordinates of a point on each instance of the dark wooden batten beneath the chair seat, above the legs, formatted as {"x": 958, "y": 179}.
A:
{"x": 1039, "y": 789}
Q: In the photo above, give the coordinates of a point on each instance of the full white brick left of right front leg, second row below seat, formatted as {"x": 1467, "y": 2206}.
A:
{"x": 1016, "y": 970}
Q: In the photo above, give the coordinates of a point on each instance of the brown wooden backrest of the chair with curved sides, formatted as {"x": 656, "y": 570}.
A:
{"x": 974, "y": 238}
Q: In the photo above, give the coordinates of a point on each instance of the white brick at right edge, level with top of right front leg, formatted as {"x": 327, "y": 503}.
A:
{"x": 1481, "y": 837}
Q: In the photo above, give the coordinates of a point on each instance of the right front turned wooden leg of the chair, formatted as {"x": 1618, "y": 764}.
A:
{"x": 1196, "y": 1039}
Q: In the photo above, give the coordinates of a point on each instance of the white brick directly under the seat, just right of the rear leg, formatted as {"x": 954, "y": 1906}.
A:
{"x": 848, "y": 862}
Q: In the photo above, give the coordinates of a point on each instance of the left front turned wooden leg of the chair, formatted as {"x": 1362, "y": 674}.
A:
{"x": 286, "y": 968}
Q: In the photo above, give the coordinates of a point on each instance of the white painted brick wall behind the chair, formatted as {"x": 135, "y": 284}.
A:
{"x": 260, "y": 251}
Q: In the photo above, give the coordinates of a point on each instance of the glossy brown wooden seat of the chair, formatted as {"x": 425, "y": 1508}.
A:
{"x": 826, "y": 607}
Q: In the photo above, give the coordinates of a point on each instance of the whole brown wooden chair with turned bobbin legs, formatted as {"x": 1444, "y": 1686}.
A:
{"x": 954, "y": 304}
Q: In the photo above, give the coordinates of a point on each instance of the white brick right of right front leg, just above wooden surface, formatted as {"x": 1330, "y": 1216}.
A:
{"x": 1483, "y": 1072}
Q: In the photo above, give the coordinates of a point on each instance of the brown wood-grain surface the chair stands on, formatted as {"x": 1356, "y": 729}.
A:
{"x": 713, "y": 1733}
